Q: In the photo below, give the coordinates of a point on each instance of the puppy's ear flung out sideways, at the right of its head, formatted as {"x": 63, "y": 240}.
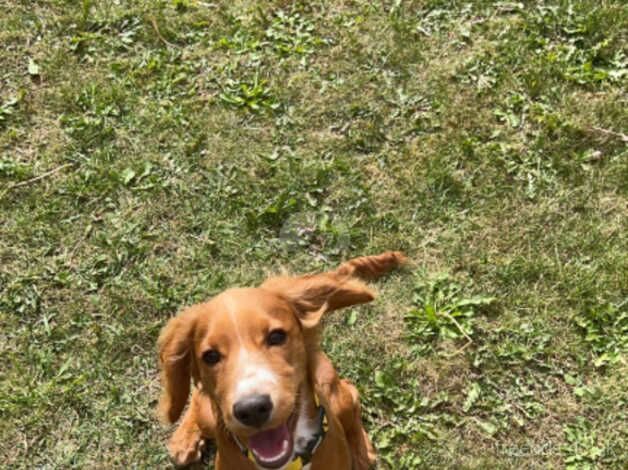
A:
{"x": 314, "y": 295}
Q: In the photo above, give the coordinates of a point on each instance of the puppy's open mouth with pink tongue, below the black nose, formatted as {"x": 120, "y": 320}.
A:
{"x": 272, "y": 448}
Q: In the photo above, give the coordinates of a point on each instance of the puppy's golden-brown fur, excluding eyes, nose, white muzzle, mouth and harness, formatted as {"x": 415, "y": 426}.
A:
{"x": 236, "y": 323}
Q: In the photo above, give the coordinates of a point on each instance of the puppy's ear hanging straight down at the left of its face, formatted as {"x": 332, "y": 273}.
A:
{"x": 177, "y": 363}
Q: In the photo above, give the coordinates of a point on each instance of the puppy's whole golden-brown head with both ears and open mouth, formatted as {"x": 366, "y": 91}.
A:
{"x": 248, "y": 348}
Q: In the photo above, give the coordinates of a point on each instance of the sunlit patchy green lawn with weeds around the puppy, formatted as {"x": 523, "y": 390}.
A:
{"x": 156, "y": 152}
